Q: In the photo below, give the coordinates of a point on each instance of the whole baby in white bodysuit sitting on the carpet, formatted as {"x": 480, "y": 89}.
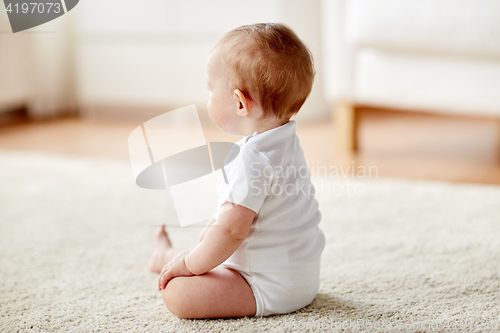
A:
{"x": 260, "y": 254}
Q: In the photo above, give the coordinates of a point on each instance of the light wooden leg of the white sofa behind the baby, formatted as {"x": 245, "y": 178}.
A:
{"x": 346, "y": 126}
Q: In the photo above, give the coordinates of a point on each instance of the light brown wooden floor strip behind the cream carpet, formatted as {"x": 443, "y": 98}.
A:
{"x": 416, "y": 146}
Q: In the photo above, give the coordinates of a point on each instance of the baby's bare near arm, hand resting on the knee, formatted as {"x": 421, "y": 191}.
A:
{"x": 218, "y": 243}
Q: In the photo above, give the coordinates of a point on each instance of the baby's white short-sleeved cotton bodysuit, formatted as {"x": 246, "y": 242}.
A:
{"x": 280, "y": 257}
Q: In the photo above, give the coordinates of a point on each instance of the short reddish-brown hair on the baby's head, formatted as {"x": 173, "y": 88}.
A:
{"x": 269, "y": 64}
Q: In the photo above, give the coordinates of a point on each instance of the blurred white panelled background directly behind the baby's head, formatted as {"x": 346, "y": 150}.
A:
{"x": 153, "y": 52}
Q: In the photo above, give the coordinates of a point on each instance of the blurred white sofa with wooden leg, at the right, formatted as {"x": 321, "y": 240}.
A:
{"x": 427, "y": 55}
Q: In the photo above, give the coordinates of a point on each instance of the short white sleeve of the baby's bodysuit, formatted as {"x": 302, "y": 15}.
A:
{"x": 247, "y": 179}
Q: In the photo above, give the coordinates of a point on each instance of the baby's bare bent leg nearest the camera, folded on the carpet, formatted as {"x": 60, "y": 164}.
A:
{"x": 220, "y": 293}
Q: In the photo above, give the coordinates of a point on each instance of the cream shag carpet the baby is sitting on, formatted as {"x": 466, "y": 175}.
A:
{"x": 75, "y": 239}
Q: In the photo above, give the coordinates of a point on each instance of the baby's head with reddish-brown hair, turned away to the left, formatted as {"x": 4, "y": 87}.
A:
{"x": 259, "y": 76}
